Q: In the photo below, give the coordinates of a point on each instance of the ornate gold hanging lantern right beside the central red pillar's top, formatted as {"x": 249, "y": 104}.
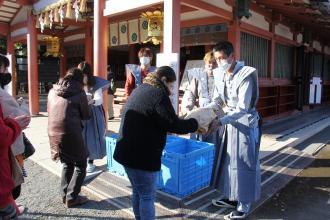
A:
{"x": 155, "y": 26}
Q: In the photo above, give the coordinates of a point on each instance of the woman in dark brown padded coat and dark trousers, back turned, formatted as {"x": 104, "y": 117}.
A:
{"x": 67, "y": 106}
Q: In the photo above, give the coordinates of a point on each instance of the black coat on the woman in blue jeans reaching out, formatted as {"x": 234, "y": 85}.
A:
{"x": 147, "y": 117}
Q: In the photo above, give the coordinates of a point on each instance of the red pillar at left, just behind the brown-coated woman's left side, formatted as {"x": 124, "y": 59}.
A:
{"x": 32, "y": 47}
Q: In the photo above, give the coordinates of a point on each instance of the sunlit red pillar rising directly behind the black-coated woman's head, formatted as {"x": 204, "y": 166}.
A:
{"x": 171, "y": 40}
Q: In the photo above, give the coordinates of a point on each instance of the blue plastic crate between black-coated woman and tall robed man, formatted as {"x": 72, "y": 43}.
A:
{"x": 186, "y": 167}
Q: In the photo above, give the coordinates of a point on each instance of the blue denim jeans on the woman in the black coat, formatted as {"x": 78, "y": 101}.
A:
{"x": 144, "y": 192}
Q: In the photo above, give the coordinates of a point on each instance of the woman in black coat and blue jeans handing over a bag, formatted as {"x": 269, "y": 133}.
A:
{"x": 147, "y": 118}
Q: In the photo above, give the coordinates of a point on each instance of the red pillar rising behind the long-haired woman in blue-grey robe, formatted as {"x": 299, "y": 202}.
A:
{"x": 100, "y": 46}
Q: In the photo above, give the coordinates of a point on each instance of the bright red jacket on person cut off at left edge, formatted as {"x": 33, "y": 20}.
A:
{"x": 9, "y": 130}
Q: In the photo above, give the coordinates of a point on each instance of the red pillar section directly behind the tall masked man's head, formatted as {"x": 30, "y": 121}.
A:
{"x": 234, "y": 37}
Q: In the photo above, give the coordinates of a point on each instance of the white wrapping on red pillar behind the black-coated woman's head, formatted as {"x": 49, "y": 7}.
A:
{"x": 172, "y": 60}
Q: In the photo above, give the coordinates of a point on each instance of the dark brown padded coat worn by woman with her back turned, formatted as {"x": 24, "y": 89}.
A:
{"x": 67, "y": 106}
